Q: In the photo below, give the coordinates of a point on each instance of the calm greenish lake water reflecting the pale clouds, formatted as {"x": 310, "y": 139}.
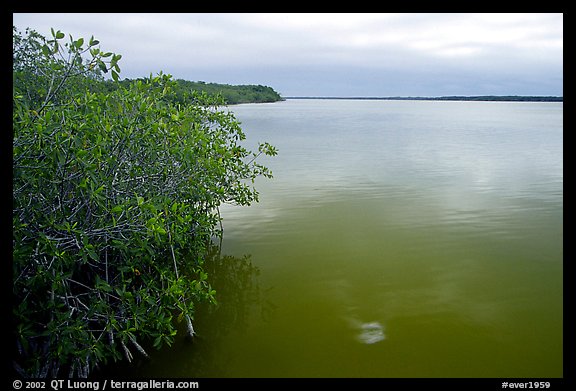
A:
{"x": 397, "y": 239}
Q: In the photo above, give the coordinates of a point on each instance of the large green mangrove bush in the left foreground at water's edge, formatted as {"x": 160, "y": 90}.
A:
{"x": 115, "y": 201}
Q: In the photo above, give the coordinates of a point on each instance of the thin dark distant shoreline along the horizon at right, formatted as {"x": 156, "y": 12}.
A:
{"x": 484, "y": 98}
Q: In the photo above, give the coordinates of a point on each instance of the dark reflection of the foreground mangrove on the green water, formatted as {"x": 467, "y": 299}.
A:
{"x": 240, "y": 298}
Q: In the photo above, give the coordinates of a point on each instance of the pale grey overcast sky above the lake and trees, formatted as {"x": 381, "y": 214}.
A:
{"x": 333, "y": 54}
